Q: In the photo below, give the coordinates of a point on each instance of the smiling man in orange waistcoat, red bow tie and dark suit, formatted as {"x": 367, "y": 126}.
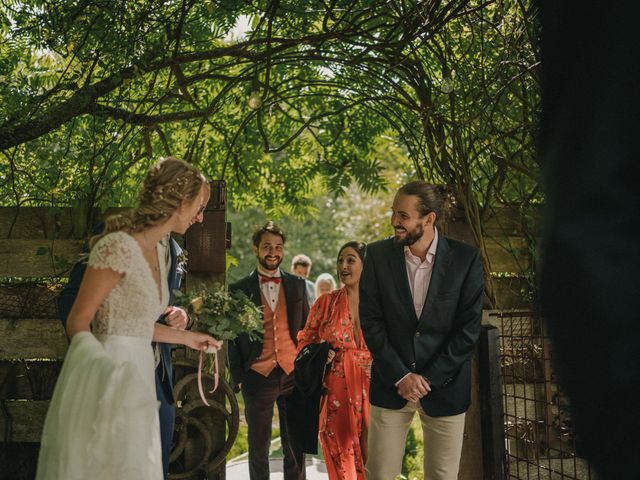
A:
{"x": 264, "y": 369}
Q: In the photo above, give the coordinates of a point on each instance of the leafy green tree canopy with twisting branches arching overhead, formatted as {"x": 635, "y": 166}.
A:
{"x": 281, "y": 99}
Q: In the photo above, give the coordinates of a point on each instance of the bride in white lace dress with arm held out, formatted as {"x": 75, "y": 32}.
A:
{"x": 102, "y": 422}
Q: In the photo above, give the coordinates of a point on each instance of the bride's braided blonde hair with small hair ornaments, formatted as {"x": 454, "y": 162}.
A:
{"x": 169, "y": 182}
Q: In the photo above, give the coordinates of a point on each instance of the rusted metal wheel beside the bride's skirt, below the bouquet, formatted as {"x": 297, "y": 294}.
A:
{"x": 197, "y": 447}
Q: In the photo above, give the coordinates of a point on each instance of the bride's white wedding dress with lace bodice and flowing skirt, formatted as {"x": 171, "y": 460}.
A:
{"x": 102, "y": 422}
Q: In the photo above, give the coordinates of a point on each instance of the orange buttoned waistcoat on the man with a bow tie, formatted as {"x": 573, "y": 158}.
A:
{"x": 277, "y": 346}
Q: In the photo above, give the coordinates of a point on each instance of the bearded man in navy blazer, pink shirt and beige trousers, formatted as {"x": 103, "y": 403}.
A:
{"x": 420, "y": 309}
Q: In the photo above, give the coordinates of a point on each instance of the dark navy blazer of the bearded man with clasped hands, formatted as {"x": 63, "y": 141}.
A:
{"x": 438, "y": 345}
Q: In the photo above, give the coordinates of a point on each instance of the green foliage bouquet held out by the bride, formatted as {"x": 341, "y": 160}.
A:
{"x": 223, "y": 314}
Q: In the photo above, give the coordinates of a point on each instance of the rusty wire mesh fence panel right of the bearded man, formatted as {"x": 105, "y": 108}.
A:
{"x": 539, "y": 441}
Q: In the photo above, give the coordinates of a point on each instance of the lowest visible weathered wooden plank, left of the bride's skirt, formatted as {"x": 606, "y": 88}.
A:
{"x": 24, "y": 419}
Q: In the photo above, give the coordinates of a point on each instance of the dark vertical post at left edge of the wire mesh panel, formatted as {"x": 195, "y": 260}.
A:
{"x": 493, "y": 435}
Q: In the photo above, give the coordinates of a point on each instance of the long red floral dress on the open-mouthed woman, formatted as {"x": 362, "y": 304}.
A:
{"x": 344, "y": 412}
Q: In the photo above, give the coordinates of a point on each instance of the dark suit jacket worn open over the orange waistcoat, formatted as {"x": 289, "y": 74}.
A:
{"x": 242, "y": 350}
